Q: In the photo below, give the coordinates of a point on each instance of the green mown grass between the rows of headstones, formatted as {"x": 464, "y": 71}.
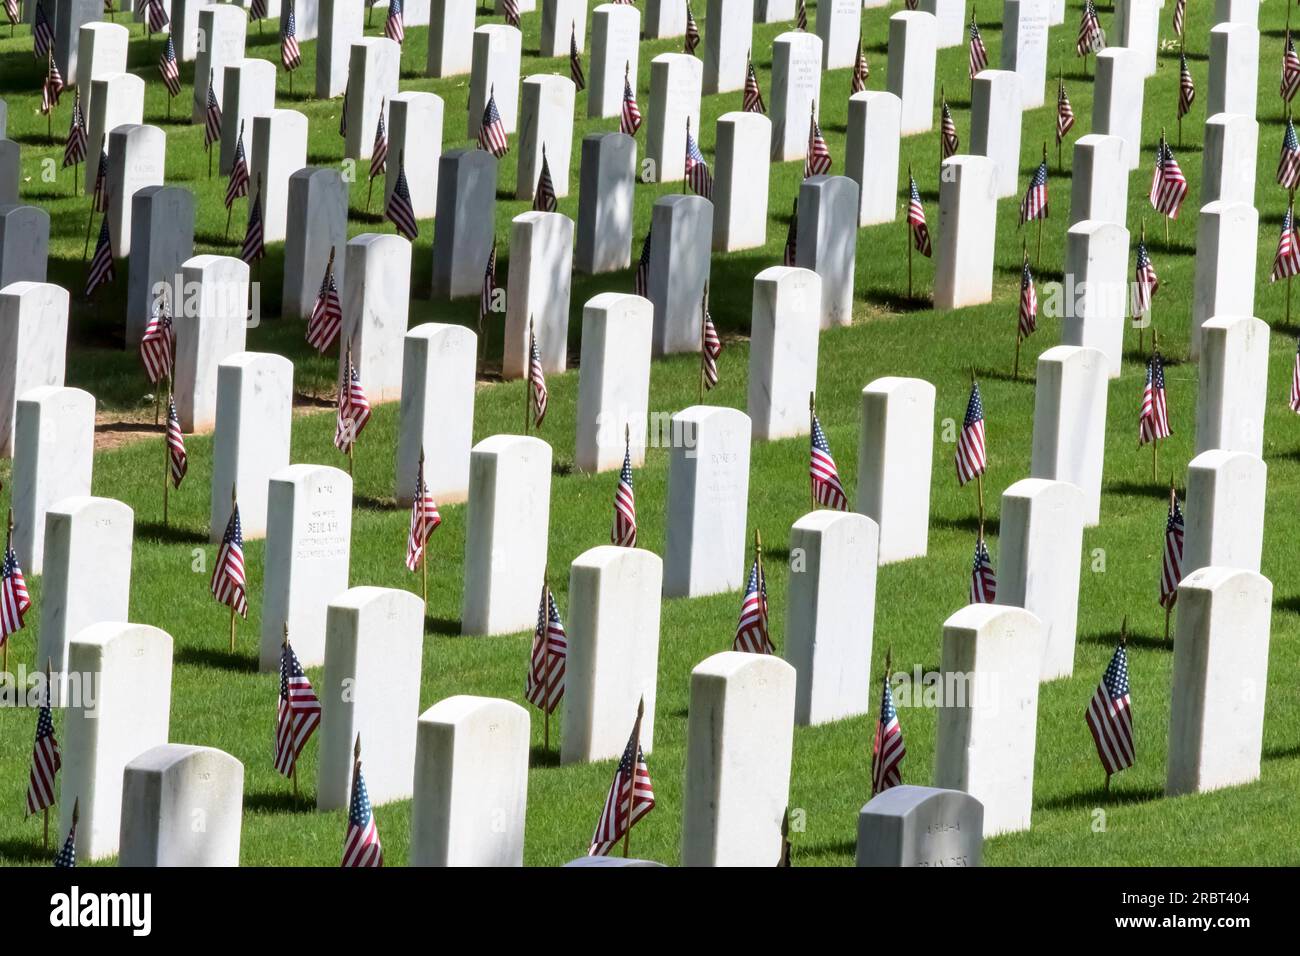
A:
{"x": 222, "y": 700}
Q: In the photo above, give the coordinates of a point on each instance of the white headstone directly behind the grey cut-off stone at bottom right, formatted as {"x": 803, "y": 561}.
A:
{"x": 987, "y": 730}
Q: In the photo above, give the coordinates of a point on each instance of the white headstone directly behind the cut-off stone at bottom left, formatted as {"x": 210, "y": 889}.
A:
{"x": 131, "y": 713}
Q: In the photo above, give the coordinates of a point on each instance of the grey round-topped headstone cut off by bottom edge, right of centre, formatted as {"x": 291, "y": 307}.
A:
{"x": 921, "y": 827}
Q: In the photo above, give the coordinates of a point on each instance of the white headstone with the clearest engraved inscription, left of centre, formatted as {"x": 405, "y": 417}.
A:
{"x": 309, "y": 546}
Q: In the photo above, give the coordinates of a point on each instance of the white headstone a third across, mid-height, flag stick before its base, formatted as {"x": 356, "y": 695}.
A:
{"x": 437, "y": 413}
